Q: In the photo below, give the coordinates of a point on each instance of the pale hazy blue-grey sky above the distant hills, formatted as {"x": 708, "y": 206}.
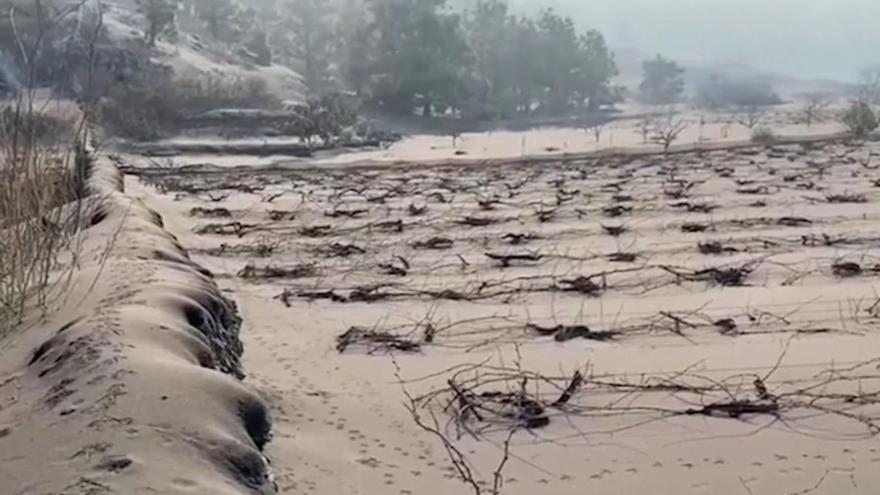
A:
{"x": 806, "y": 38}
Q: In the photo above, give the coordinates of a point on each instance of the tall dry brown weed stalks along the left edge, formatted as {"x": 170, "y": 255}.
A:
{"x": 42, "y": 211}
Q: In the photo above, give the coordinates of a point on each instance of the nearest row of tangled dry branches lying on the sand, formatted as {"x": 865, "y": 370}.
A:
{"x": 482, "y": 398}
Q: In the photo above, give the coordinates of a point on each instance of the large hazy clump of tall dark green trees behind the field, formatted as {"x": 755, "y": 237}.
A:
{"x": 426, "y": 57}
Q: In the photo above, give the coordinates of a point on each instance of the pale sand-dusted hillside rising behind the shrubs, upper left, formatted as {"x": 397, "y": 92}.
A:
{"x": 121, "y": 53}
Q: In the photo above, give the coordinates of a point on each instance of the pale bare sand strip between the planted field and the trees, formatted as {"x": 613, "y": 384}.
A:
{"x": 716, "y": 129}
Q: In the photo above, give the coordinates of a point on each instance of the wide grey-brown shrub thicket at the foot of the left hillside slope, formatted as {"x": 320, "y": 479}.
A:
{"x": 156, "y": 106}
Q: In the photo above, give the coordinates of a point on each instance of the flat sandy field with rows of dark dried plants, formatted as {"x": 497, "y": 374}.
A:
{"x": 341, "y": 425}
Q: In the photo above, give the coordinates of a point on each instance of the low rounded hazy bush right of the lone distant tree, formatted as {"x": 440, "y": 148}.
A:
{"x": 723, "y": 92}
